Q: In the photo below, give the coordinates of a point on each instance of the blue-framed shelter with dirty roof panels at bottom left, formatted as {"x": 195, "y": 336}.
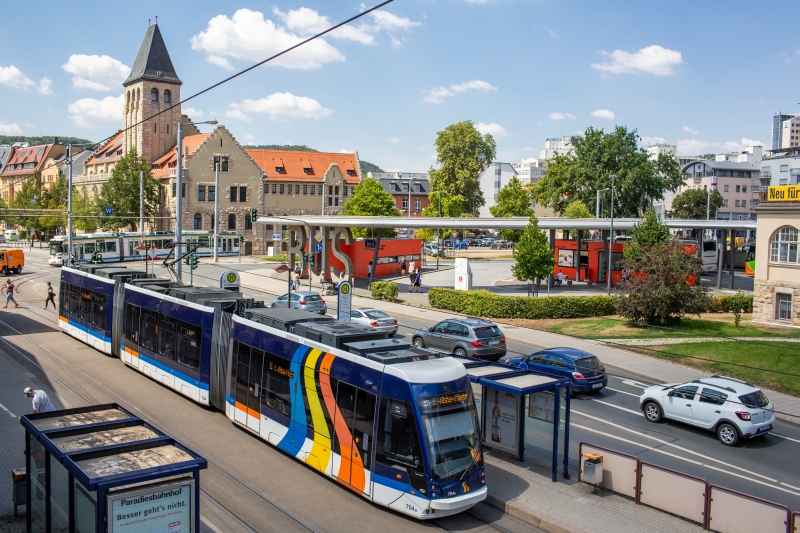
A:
{"x": 100, "y": 469}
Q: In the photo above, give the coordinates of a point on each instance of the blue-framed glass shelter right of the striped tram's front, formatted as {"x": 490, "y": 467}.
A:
{"x": 521, "y": 410}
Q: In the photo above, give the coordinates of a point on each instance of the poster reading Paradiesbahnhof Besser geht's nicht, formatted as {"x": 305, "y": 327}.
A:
{"x": 161, "y": 509}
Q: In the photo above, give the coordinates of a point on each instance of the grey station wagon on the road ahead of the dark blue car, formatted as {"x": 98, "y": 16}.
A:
{"x": 471, "y": 337}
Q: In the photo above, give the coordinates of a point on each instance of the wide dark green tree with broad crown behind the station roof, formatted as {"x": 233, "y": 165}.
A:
{"x": 596, "y": 157}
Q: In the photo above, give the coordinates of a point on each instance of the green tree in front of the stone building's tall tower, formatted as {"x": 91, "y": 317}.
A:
{"x": 121, "y": 193}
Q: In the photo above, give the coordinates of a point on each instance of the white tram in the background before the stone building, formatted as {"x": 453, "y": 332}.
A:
{"x": 123, "y": 247}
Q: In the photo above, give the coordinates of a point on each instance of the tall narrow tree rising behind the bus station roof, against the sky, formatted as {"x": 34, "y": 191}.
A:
{"x": 462, "y": 153}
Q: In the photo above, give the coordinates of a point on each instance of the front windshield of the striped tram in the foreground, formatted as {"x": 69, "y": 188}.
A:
{"x": 451, "y": 432}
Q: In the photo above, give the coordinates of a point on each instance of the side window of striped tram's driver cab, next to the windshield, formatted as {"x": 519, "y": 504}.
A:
{"x": 398, "y": 441}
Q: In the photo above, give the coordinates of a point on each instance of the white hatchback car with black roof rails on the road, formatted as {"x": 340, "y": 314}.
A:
{"x": 733, "y": 409}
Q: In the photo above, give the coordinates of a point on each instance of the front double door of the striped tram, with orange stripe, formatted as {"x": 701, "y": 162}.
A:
{"x": 357, "y": 410}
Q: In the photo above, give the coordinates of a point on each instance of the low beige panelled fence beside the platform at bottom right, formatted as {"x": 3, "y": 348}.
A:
{"x": 715, "y": 508}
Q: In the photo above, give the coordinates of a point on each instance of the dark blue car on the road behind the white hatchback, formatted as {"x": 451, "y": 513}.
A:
{"x": 585, "y": 370}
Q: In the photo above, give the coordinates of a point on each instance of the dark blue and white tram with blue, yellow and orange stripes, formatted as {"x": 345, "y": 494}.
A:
{"x": 392, "y": 423}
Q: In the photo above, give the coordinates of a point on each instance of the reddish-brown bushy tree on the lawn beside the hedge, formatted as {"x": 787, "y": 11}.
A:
{"x": 664, "y": 284}
